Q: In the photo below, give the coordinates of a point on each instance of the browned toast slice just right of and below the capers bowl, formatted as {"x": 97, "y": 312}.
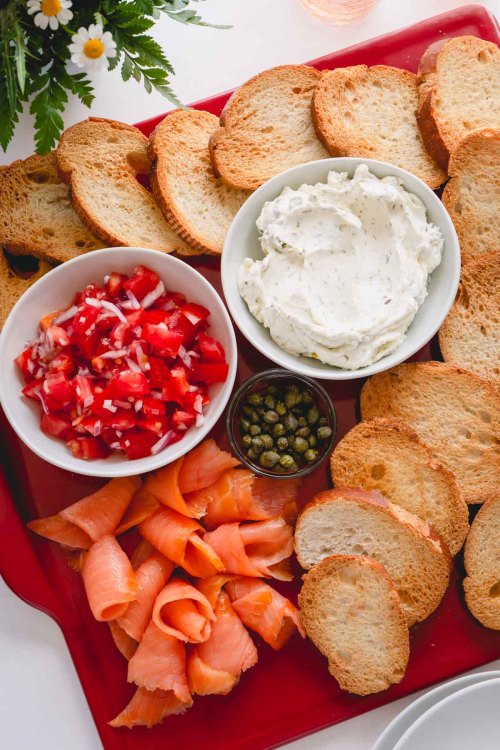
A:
{"x": 387, "y": 455}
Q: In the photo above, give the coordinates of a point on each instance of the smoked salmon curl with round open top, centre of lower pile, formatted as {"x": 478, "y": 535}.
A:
{"x": 183, "y": 611}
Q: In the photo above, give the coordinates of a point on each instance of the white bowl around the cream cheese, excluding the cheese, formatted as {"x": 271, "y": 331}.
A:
{"x": 242, "y": 242}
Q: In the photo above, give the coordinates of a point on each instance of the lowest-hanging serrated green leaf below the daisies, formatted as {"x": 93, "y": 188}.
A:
{"x": 46, "y": 106}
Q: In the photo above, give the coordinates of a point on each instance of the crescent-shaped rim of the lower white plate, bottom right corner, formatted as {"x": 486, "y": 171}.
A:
{"x": 411, "y": 713}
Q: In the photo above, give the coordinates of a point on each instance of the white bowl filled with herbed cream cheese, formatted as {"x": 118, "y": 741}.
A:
{"x": 341, "y": 268}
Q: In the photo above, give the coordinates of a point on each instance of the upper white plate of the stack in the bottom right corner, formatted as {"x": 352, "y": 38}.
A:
{"x": 465, "y": 720}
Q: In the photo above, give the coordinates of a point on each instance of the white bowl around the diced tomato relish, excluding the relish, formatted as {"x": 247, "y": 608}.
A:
{"x": 55, "y": 291}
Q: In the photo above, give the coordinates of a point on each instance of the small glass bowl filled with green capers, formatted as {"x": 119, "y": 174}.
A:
{"x": 281, "y": 424}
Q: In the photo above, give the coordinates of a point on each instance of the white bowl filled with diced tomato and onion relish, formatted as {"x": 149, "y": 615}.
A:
{"x": 117, "y": 362}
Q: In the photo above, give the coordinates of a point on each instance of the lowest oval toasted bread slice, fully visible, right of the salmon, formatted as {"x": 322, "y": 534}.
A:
{"x": 352, "y": 613}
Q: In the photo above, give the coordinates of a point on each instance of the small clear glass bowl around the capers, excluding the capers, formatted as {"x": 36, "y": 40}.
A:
{"x": 259, "y": 382}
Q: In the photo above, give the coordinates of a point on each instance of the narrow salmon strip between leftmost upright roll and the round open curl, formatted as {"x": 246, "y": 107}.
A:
{"x": 152, "y": 576}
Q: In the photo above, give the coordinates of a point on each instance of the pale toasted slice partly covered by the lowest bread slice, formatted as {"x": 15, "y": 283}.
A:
{"x": 354, "y": 522}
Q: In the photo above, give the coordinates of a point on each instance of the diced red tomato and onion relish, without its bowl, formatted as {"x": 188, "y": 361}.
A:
{"x": 126, "y": 368}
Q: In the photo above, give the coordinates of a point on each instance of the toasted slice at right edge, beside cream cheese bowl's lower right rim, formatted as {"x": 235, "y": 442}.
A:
{"x": 470, "y": 334}
